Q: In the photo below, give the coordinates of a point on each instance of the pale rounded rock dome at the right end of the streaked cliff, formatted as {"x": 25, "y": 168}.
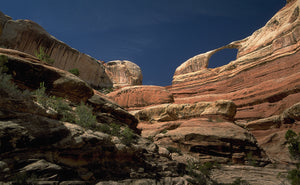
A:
{"x": 124, "y": 73}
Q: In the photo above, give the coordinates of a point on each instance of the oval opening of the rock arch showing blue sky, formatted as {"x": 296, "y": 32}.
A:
{"x": 222, "y": 57}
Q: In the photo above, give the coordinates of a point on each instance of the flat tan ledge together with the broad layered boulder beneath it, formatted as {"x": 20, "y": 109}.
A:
{"x": 202, "y": 129}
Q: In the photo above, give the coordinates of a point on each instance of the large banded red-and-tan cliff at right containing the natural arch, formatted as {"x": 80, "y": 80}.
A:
{"x": 263, "y": 81}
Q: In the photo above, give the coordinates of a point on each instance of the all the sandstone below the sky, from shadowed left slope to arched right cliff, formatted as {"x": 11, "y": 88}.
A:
{"x": 234, "y": 116}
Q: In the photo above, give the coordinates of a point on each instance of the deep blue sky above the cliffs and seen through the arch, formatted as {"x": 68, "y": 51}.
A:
{"x": 158, "y": 35}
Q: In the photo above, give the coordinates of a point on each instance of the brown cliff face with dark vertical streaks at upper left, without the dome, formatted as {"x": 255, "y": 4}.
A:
{"x": 27, "y": 36}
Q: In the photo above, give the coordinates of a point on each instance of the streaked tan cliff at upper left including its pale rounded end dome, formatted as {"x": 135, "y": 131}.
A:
{"x": 27, "y": 36}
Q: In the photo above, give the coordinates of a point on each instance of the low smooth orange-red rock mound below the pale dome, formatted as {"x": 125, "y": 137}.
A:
{"x": 135, "y": 97}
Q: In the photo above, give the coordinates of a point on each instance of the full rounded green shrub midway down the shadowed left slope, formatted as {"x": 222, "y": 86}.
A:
{"x": 85, "y": 117}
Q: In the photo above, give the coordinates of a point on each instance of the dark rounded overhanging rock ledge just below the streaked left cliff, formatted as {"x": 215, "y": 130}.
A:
{"x": 29, "y": 72}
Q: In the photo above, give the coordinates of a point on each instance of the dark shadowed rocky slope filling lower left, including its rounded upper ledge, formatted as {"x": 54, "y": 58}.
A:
{"x": 38, "y": 147}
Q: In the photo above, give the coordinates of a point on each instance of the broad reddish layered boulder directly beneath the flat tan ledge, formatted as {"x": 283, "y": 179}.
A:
{"x": 220, "y": 141}
